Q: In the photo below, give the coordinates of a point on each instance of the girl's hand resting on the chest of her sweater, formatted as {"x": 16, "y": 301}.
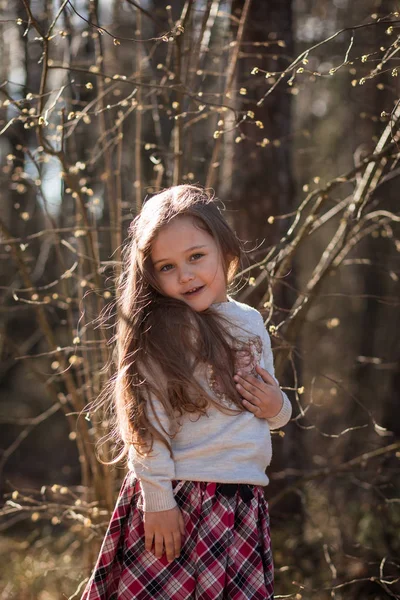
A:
{"x": 263, "y": 398}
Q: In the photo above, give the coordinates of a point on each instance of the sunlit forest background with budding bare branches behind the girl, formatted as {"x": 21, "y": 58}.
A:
{"x": 289, "y": 111}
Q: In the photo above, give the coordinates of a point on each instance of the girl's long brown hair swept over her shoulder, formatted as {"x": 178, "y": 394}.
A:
{"x": 150, "y": 322}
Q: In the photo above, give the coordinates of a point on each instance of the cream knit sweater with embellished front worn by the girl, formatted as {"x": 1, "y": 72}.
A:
{"x": 215, "y": 447}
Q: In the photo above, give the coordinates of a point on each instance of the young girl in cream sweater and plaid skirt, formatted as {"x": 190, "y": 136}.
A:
{"x": 195, "y": 399}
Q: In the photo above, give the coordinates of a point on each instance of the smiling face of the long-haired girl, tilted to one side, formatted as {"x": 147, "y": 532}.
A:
{"x": 188, "y": 264}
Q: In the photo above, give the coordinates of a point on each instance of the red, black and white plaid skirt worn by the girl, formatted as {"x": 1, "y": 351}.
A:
{"x": 225, "y": 555}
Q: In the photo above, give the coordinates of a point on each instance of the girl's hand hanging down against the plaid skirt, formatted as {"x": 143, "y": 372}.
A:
{"x": 166, "y": 528}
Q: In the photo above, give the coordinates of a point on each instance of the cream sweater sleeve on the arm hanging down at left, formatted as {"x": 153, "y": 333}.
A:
{"x": 155, "y": 470}
